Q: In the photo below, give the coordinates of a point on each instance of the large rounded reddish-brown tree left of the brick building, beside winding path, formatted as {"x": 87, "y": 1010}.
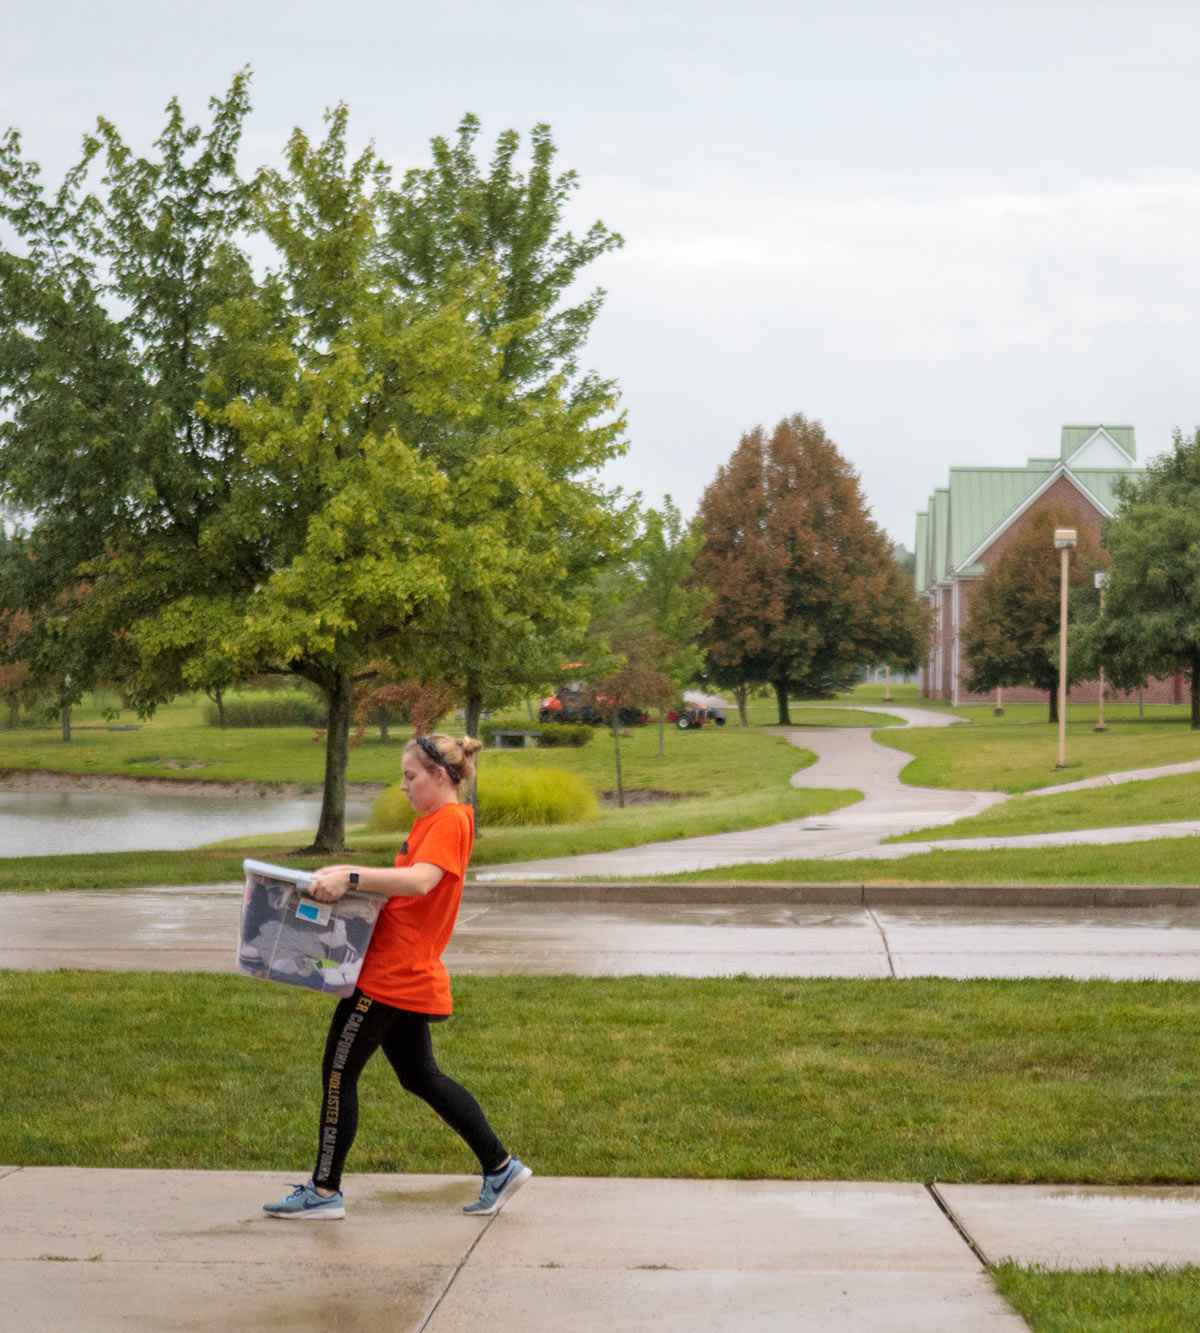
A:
{"x": 805, "y": 587}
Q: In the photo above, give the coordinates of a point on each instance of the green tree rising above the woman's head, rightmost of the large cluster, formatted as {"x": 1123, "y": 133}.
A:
{"x": 535, "y": 523}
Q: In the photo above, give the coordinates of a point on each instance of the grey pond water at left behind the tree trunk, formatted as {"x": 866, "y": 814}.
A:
{"x": 51, "y": 823}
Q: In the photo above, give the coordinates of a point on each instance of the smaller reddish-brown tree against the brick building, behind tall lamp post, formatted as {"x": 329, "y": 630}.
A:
{"x": 1013, "y": 635}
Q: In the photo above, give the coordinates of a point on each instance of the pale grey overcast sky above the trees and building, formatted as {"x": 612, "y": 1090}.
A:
{"x": 943, "y": 230}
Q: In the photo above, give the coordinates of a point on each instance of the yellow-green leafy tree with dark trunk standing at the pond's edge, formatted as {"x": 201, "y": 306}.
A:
{"x": 339, "y": 531}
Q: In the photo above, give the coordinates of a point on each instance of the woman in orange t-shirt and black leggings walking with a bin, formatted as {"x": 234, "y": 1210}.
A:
{"x": 403, "y": 987}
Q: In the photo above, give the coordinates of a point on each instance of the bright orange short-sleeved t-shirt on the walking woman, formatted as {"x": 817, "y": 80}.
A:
{"x": 403, "y": 966}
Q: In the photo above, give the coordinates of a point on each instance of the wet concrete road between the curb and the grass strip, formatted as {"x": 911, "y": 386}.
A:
{"x": 198, "y": 928}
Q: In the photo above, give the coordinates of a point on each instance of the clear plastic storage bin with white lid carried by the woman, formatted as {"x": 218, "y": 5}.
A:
{"x": 291, "y": 938}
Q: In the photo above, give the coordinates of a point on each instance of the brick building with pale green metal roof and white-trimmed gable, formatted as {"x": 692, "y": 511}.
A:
{"x": 970, "y": 523}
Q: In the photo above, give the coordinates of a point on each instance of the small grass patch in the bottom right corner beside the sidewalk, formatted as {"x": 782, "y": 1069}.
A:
{"x": 1157, "y": 1300}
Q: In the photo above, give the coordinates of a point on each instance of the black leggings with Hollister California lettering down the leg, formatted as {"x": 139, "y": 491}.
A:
{"x": 359, "y": 1028}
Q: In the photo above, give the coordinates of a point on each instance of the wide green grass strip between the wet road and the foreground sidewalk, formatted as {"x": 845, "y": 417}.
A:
{"x": 803, "y": 1080}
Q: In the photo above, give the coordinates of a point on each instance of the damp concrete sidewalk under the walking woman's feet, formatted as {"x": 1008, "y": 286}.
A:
{"x": 191, "y": 1251}
